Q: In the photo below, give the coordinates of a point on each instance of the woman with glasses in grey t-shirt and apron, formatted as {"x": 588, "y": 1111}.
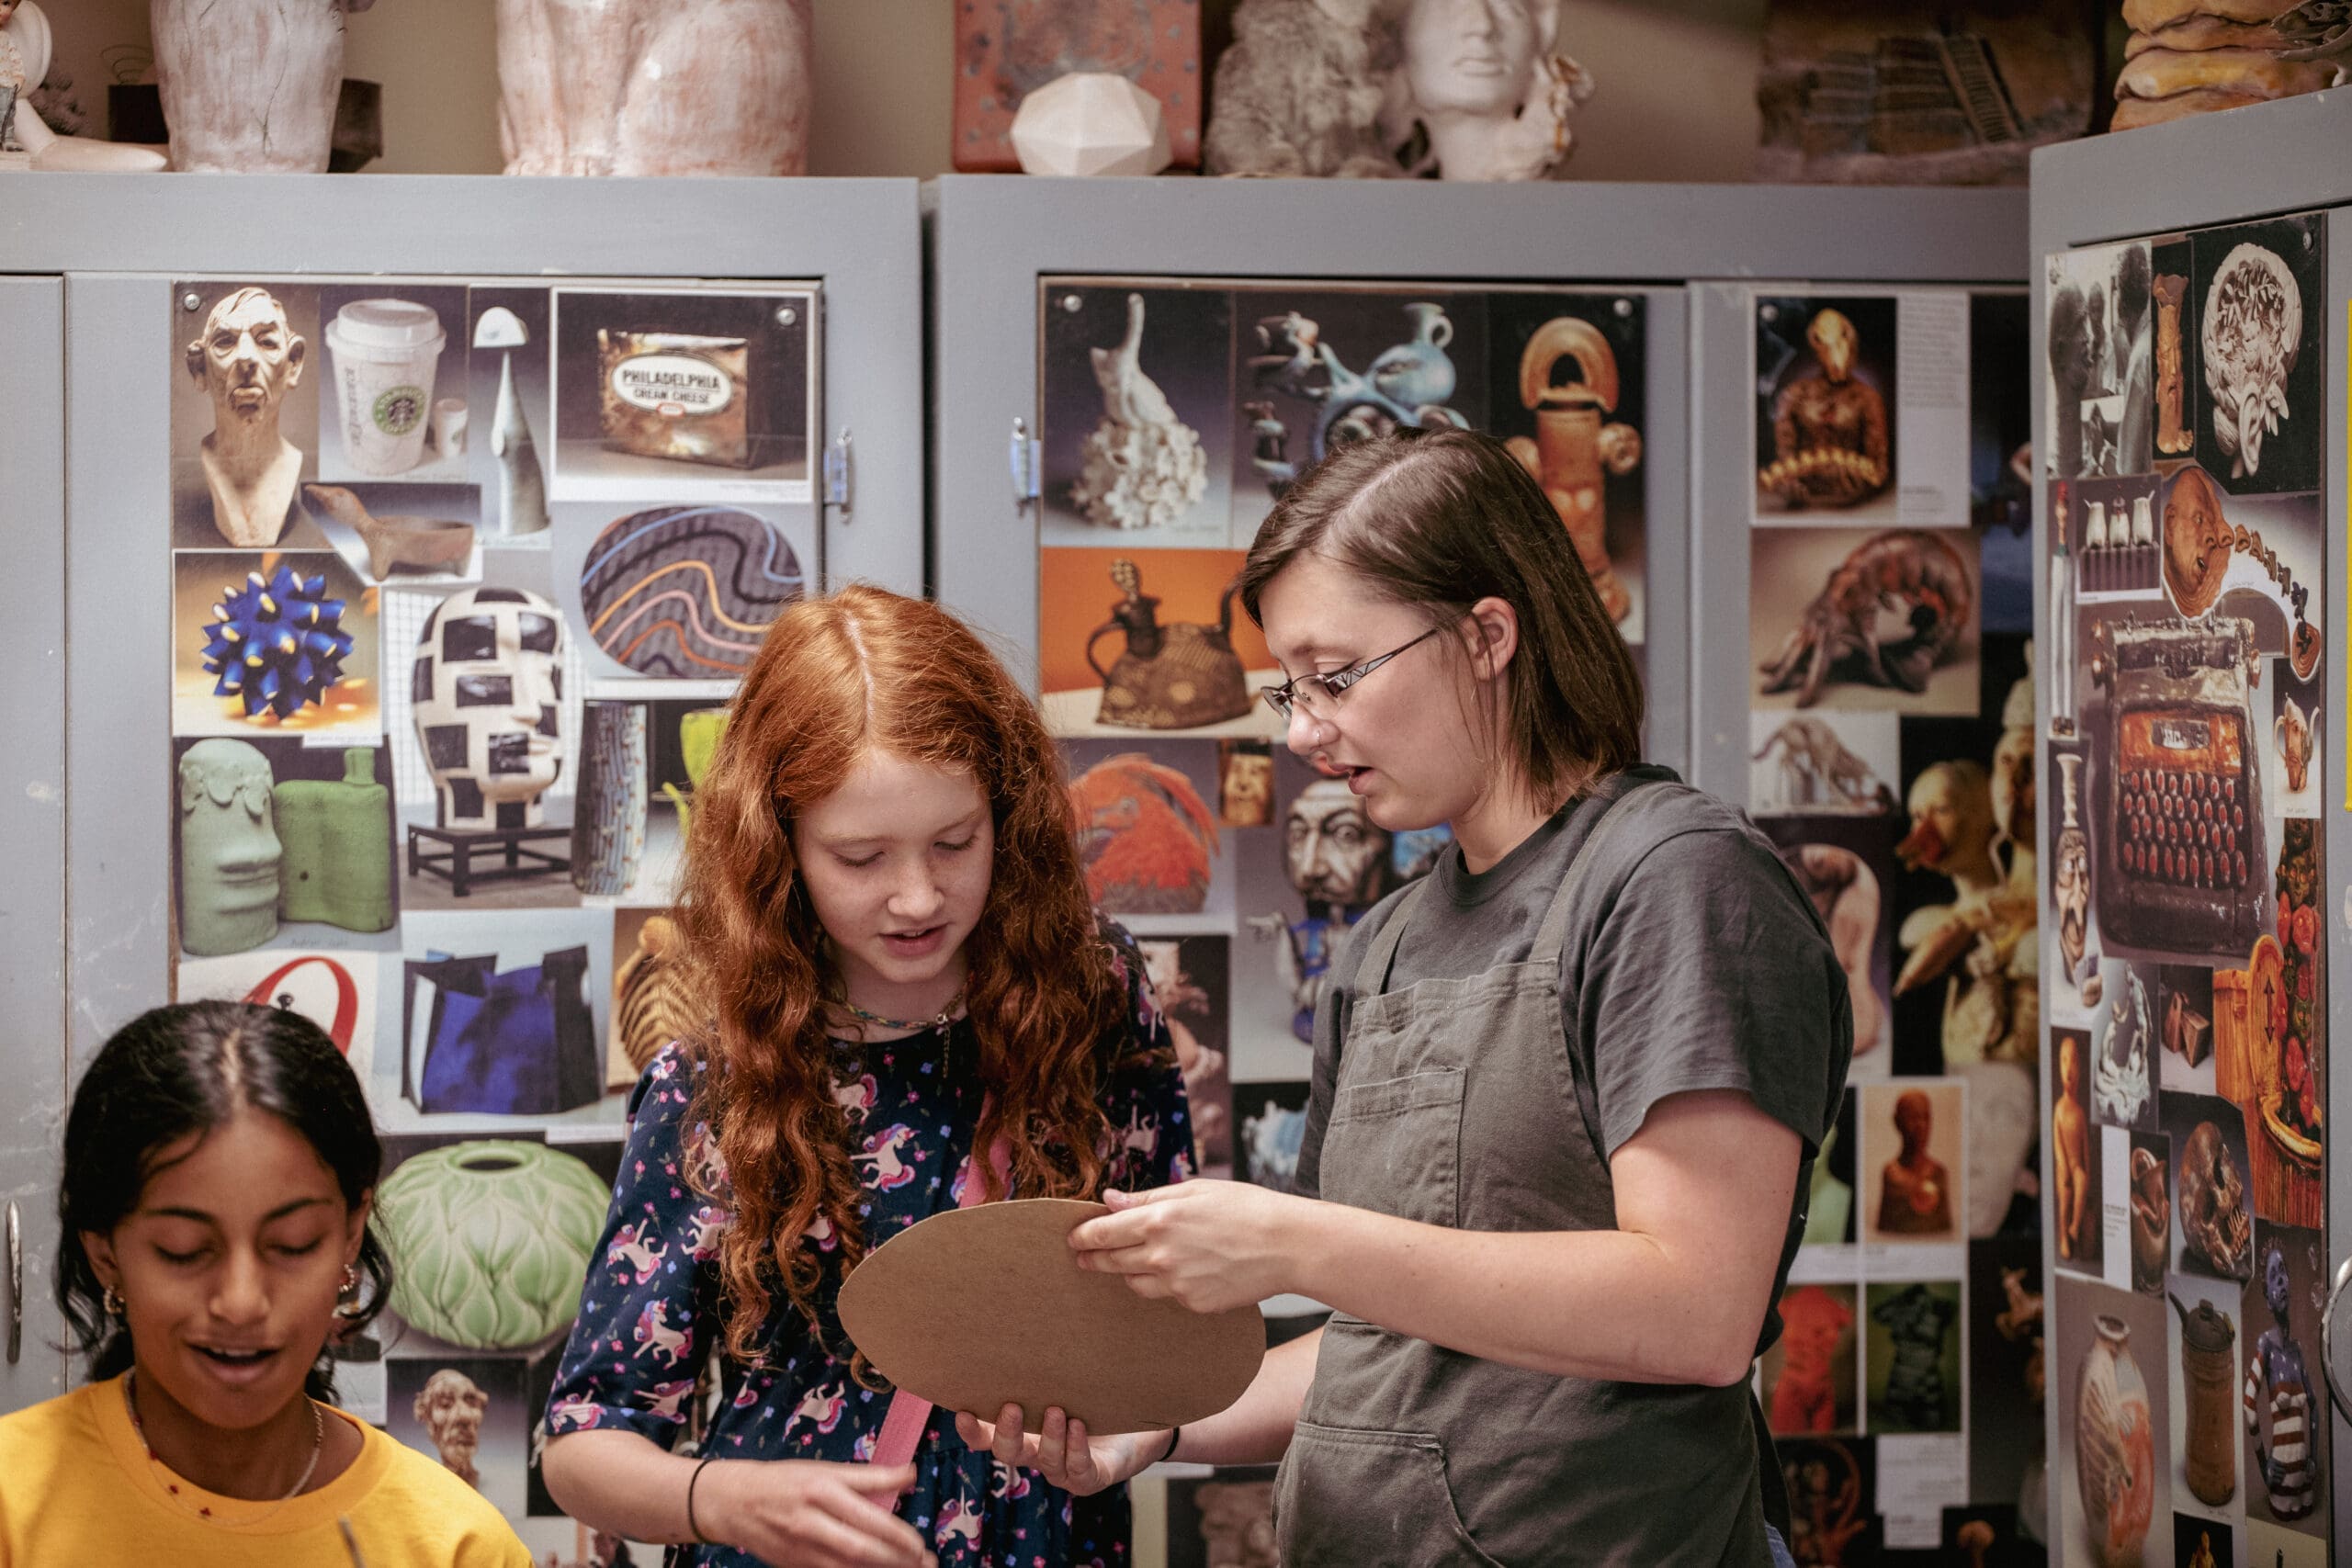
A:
{"x": 1565, "y": 1094}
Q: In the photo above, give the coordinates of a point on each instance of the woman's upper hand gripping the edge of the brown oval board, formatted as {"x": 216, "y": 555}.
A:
{"x": 1205, "y": 1245}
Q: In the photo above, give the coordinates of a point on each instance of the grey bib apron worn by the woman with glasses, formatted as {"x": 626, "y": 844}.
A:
{"x": 1459, "y": 1104}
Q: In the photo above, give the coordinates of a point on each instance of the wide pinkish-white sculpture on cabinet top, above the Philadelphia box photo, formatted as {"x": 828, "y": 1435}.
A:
{"x": 655, "y": 86}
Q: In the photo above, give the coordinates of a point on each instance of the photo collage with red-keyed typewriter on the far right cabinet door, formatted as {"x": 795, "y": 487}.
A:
{"x": 2189, "y": 1017}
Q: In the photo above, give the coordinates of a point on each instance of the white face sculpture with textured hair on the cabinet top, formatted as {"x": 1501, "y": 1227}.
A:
{"x": 1483, "y": 81}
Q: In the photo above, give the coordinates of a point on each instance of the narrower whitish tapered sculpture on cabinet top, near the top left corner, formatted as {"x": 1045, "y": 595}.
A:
{"x": 250, "y": 86}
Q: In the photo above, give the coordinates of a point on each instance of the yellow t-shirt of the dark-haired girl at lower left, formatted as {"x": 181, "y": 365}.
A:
{"x": 76, "y": 1487}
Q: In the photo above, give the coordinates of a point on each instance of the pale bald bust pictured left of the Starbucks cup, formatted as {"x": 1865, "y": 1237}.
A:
{"x": 248, "y": 359}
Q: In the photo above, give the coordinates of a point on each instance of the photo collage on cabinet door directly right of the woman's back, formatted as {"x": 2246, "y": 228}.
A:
{"x": 1892, "y": 760}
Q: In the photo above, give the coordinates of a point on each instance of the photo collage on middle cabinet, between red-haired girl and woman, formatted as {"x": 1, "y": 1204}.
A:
{"x": 1172, "y": 420}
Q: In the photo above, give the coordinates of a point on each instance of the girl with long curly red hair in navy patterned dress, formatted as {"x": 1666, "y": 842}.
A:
{"x": 888, "y": 923}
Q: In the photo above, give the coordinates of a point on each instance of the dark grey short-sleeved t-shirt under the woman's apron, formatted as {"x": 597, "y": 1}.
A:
{"x": 1692, "y": 963}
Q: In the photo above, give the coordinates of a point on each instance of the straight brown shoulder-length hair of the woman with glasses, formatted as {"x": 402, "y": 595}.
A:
{"x": 1445, "y": 518}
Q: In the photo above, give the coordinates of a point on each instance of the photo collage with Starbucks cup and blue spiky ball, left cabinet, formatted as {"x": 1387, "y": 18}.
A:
{"x": 462, "y": 579}
